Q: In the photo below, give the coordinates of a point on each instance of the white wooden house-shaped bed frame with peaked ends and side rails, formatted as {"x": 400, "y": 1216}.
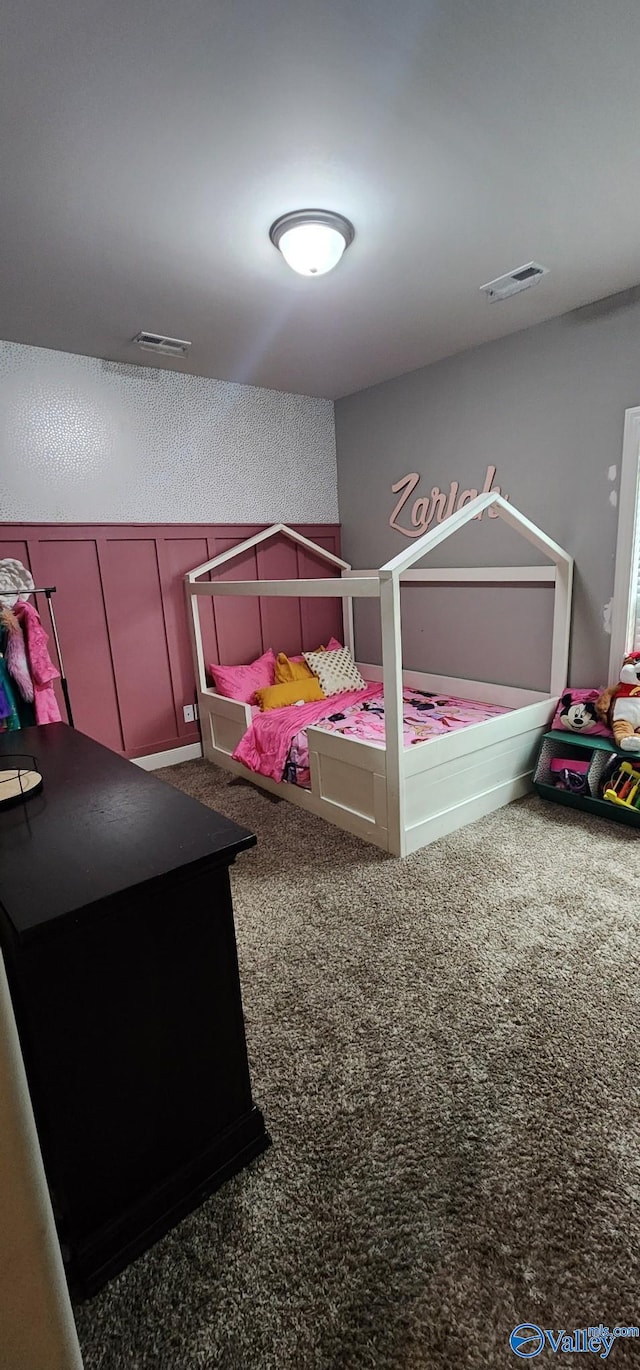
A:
{"x": 401, "y": 798}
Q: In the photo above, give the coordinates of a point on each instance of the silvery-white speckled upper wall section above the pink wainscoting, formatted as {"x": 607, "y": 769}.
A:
{"x": 88, "y": 440}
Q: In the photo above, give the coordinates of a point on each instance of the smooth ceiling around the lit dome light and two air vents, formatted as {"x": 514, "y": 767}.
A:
{"x": 149, "y": 145}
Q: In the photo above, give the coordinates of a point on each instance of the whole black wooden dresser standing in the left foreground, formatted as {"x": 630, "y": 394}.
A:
{"x": 117, "y": 928}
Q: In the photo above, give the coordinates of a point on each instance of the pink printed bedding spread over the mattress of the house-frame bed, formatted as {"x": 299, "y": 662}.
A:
{"x": 276, "y": 743}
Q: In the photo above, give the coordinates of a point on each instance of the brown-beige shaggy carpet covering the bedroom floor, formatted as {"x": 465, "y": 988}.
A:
{"x": 447, "y": 1051}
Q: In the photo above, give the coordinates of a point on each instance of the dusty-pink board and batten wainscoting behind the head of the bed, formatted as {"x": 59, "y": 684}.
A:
{"x": 123, "y": 619}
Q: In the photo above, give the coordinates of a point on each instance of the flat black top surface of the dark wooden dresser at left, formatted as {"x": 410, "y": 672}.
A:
{"x": 99, "y": 827}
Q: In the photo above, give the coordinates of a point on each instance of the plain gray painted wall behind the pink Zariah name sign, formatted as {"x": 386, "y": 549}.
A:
{"x": 546, "y": 408}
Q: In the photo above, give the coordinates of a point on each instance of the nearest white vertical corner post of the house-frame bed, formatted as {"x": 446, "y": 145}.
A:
{"x": 390, "y": 617}
